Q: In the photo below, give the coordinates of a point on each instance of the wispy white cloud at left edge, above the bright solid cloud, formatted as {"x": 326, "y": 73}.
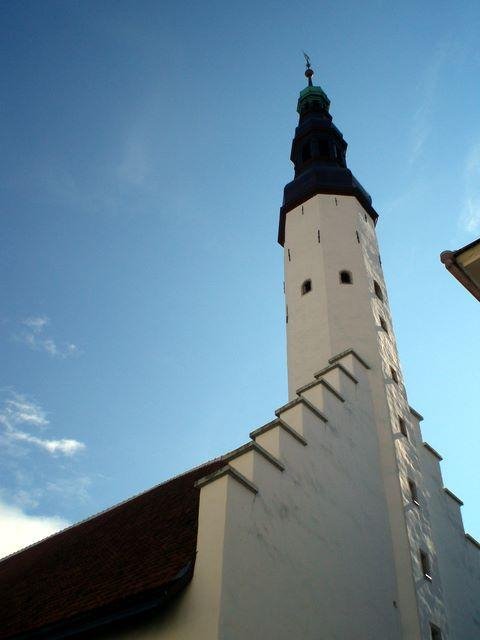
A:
{"x": 17, "y": 412}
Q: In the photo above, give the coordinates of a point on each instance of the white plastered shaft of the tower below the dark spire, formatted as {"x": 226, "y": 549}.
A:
{"x": 334, "y": 317}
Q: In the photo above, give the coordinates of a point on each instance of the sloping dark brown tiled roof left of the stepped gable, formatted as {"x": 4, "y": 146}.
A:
{"x": 141, "y": 546}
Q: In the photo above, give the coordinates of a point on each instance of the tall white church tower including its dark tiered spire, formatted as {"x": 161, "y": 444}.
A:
{"x": 337, "y": 303}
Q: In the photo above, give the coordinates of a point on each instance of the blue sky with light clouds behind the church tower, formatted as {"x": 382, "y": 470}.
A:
{"x": 145, "y": 147}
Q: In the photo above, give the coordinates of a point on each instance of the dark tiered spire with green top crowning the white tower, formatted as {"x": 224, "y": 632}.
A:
{"x": 319, "y": 156}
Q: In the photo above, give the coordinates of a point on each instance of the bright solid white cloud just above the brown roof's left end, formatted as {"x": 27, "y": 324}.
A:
{"x": 20, "y": 529}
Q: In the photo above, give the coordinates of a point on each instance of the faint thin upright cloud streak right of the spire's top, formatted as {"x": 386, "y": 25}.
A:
{"x": 423, "y": 115}
